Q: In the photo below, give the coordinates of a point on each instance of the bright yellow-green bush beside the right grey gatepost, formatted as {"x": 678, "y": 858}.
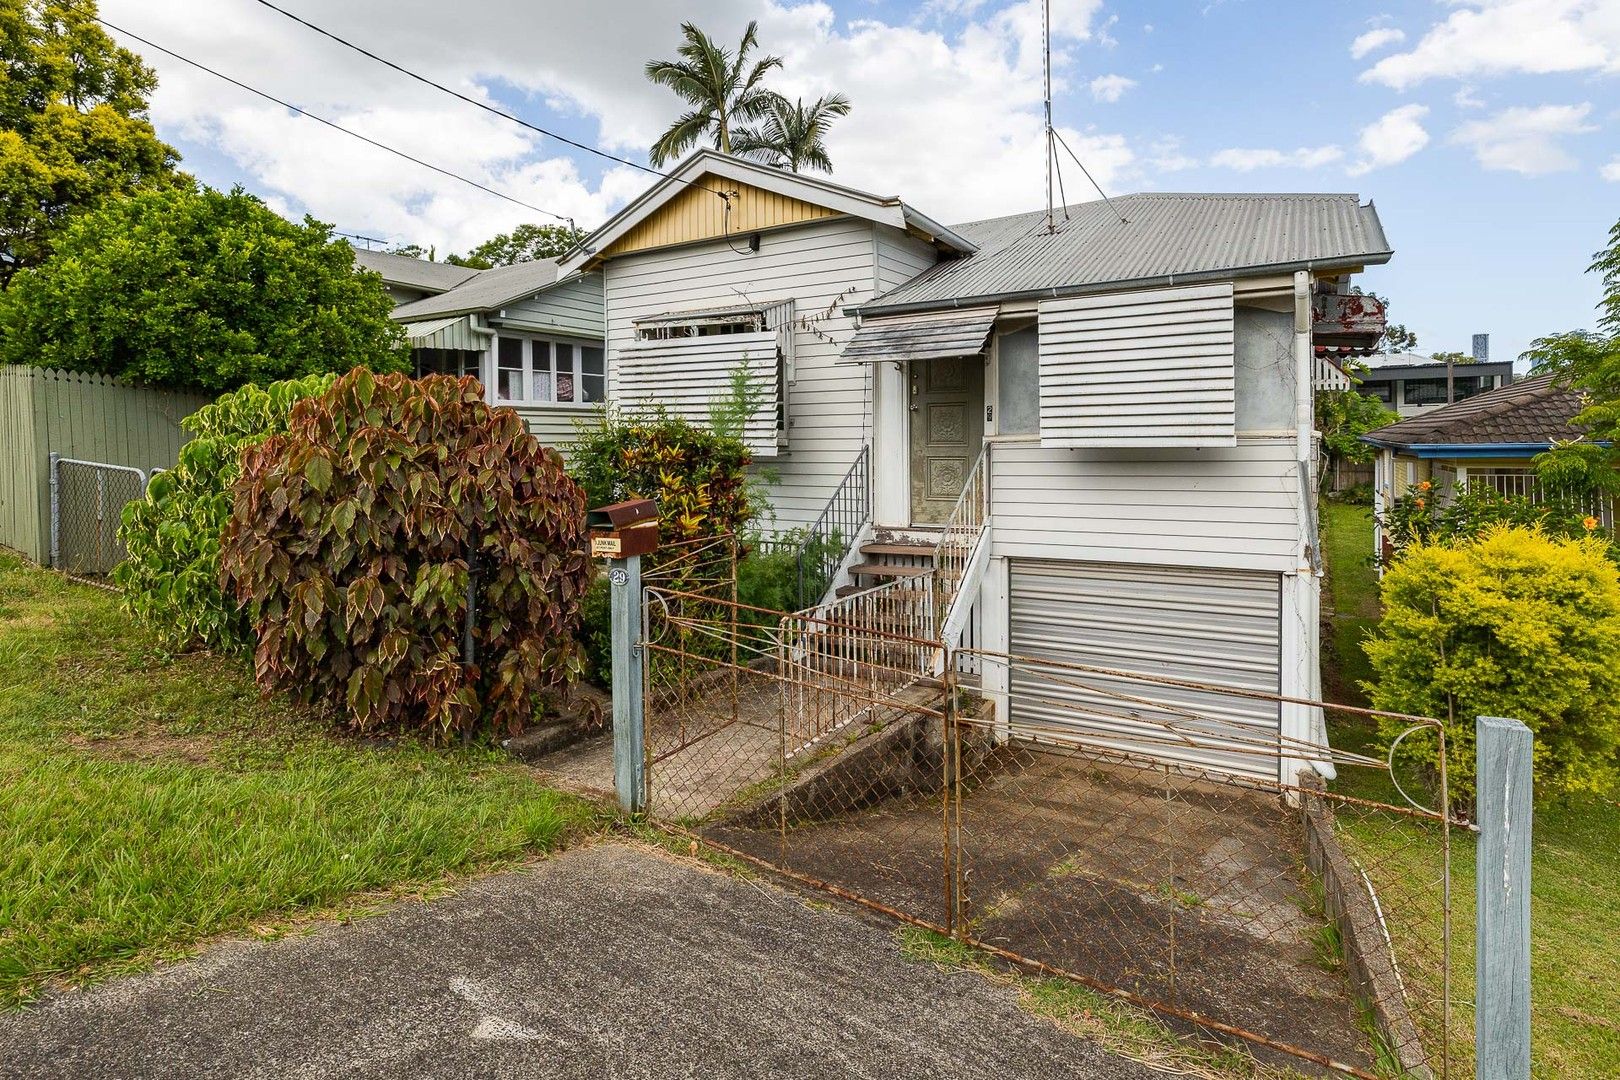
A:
{"x": 1512, "y": 624}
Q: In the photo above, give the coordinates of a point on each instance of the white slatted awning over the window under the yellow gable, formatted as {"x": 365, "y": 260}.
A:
{"x": 684, "y": 378}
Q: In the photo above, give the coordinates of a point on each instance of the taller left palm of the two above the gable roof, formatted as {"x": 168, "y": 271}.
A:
{"x": 720, "y": 87}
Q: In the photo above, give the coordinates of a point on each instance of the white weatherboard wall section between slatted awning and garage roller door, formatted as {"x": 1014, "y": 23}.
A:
{"x": 1232, "y": 508}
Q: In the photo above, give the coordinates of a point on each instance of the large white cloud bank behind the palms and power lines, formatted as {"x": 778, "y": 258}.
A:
{"x": 952, "y": 119}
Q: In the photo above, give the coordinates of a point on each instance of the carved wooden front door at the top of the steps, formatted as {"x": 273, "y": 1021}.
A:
{"x": 947, "y": 433}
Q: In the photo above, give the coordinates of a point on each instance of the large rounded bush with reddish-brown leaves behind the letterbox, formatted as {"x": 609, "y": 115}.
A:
{"x": 357, "y": 537}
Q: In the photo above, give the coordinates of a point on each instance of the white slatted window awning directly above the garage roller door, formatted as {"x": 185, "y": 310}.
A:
{"x": 1148, "y": 368}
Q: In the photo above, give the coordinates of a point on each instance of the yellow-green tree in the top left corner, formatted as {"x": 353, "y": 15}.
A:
{"x": 74, "y": 127}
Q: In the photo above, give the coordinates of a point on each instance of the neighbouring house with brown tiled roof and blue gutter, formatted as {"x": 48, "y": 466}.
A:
{"x": 1488, "y": 441}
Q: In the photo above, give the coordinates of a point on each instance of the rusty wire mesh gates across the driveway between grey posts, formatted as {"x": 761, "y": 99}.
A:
{"x": 1310, "y": 922}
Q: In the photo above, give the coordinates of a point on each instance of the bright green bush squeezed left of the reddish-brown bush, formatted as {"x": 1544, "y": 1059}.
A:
{"x": 171, "y": 579}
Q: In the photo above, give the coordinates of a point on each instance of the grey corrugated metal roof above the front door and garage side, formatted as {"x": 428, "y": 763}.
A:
{"x": 1164, "y": 237}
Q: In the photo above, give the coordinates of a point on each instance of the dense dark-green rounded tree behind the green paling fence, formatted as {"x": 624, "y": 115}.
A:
{"x": 198, "y": 289}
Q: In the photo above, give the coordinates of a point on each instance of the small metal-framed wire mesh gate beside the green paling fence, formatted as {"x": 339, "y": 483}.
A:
{"x": 87, "y": 504}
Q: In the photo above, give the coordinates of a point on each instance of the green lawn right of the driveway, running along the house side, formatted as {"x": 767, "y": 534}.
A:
{"x": 1575, "y": 888}
